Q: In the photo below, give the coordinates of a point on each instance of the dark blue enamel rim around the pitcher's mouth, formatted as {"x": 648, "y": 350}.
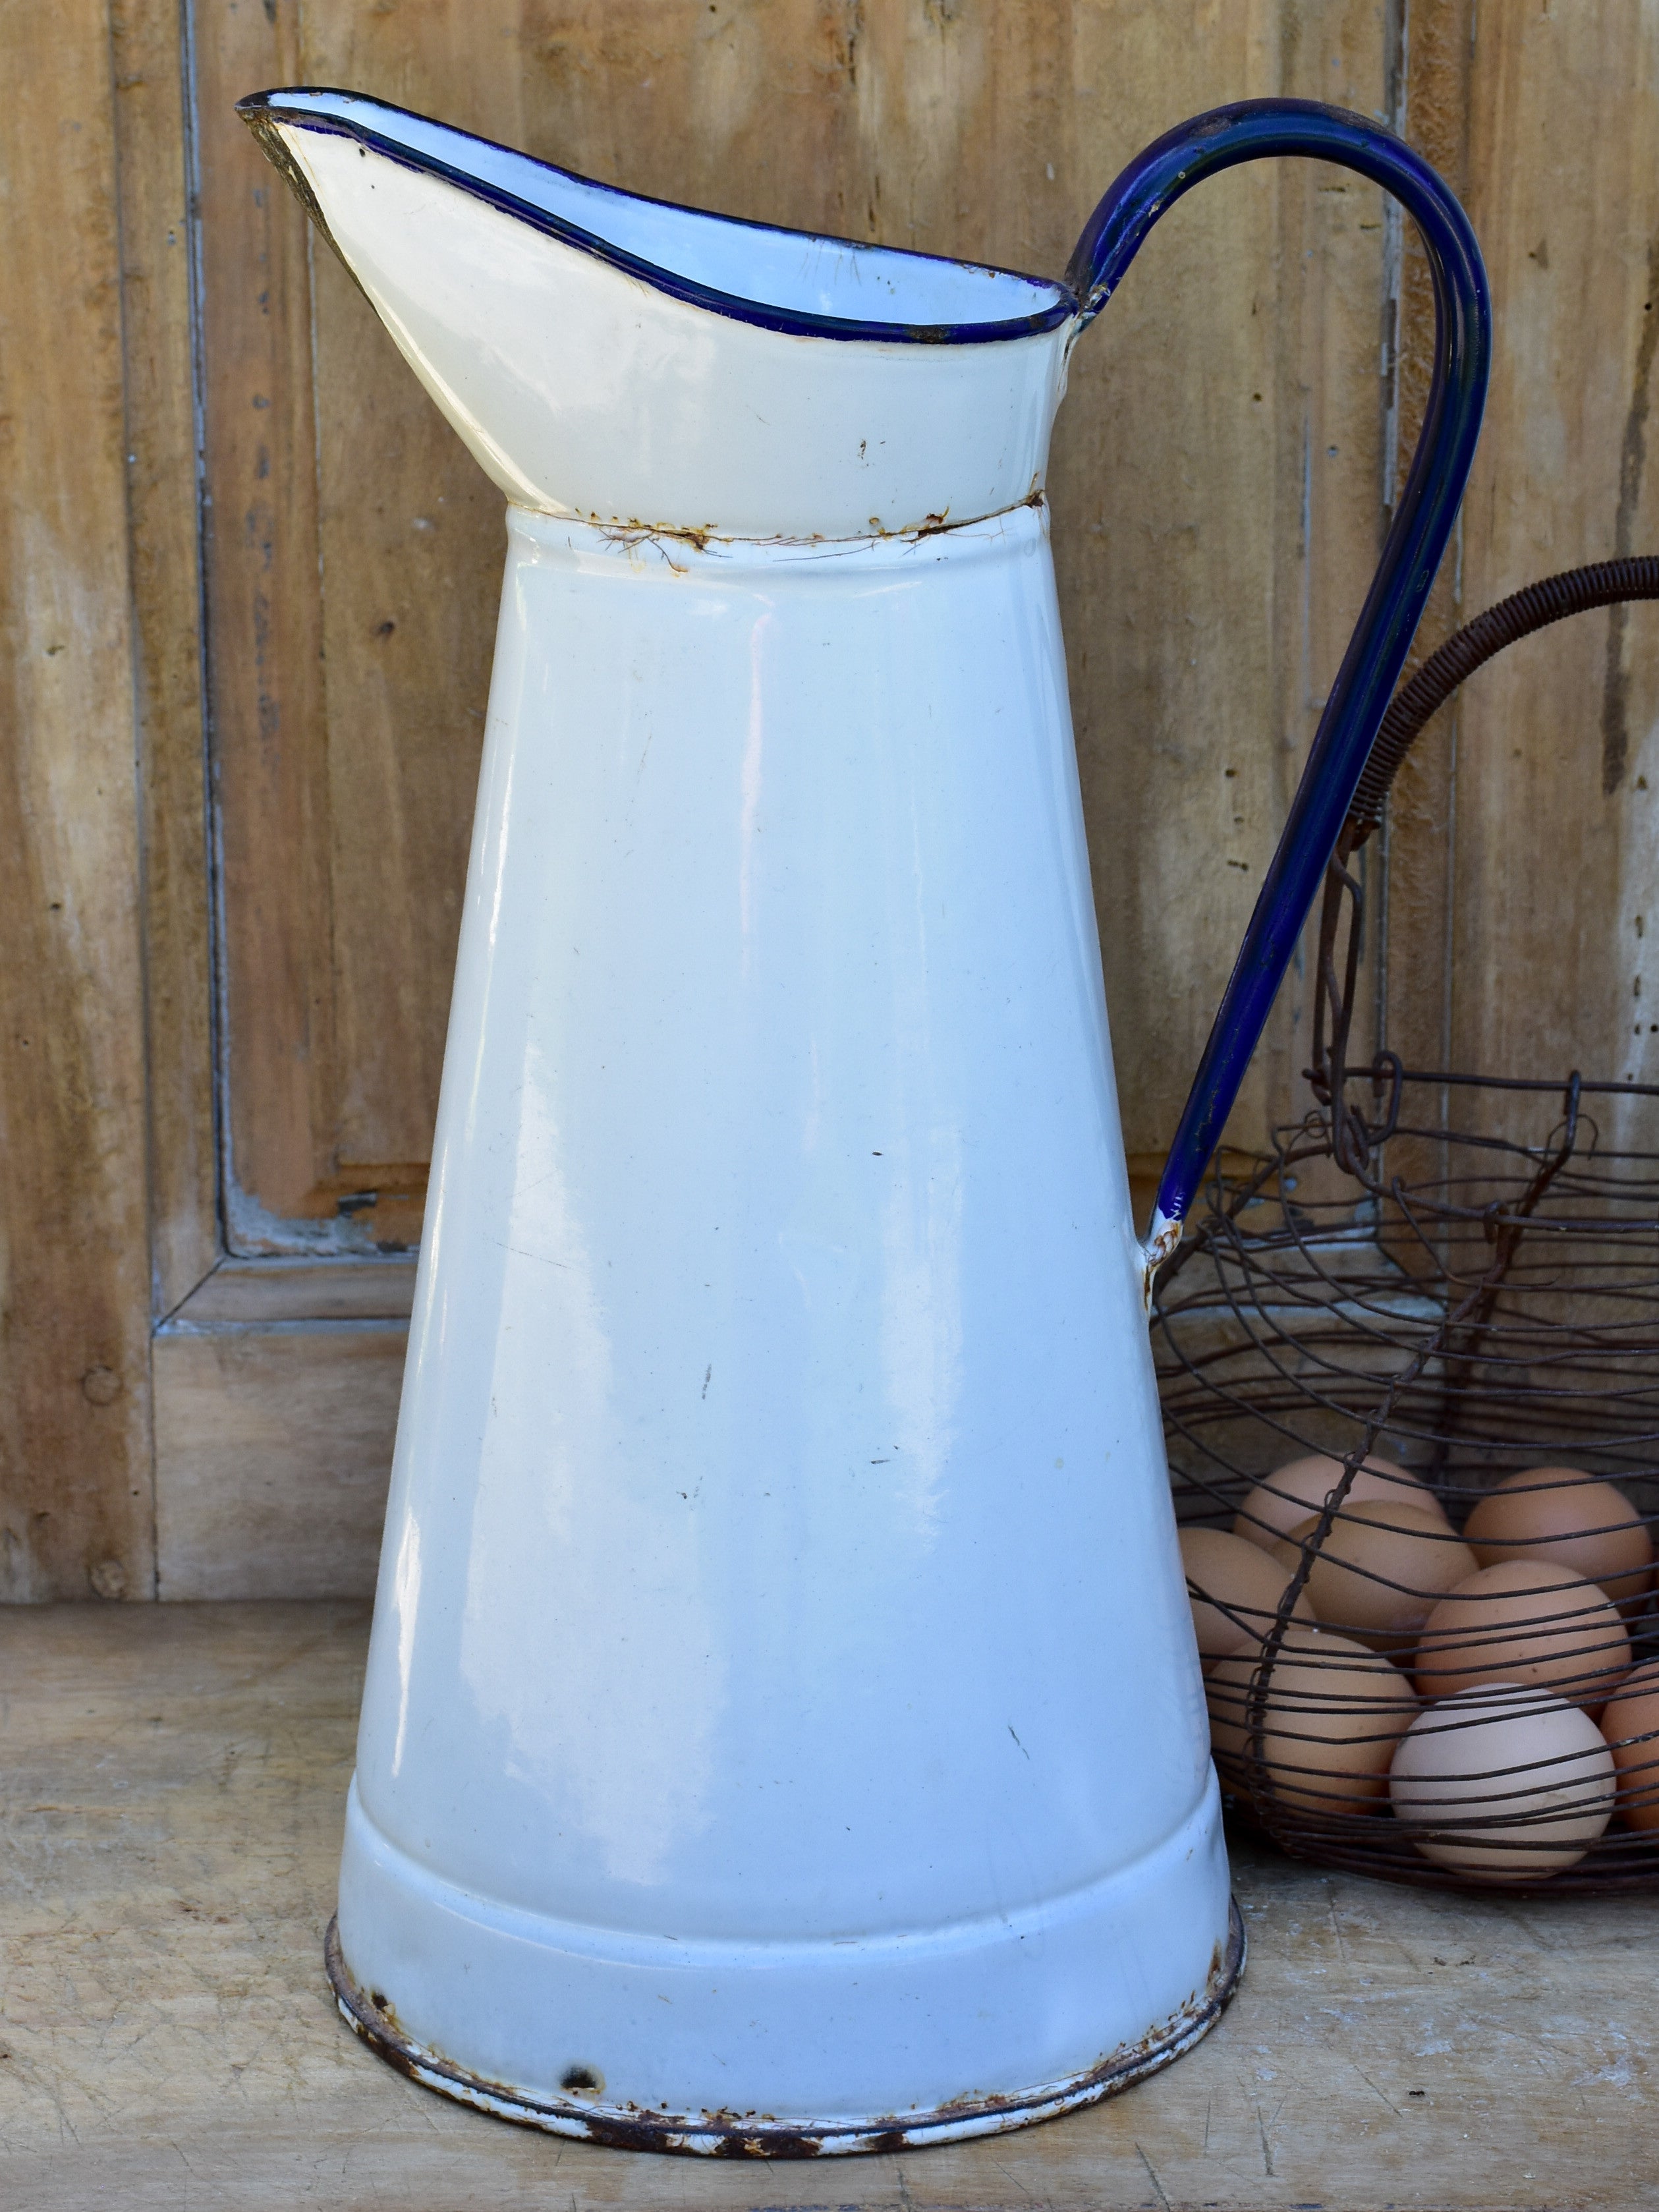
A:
{"x": 264, "y": 109}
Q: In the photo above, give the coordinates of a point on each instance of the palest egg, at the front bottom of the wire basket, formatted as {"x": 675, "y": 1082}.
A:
{"x": 1503, "y": 1784}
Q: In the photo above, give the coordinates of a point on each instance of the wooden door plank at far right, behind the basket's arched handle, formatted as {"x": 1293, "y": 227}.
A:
{"x": 1558, "y": 747}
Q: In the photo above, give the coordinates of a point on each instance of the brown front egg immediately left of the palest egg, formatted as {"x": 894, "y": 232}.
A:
{"x": 1331, "y": 1724}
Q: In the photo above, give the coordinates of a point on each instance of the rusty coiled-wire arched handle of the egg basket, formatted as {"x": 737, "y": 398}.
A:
{"x": 1536, "y": 607}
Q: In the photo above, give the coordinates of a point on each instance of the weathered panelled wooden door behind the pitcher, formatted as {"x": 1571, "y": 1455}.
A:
{"x": 280, "y": 572}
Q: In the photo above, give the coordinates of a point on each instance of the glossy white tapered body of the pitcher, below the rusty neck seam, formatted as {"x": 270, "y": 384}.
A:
{"x": 782, "y": 1629}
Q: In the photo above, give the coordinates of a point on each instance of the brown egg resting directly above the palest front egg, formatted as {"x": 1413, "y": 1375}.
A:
{"x": 1527, "y": 1623}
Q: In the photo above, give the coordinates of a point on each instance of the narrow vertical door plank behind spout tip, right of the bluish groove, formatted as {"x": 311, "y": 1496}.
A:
{"x": 267, "y": 647}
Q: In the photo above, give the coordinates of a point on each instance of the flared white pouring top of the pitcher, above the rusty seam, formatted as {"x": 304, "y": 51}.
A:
{"x": 647, "y": 366}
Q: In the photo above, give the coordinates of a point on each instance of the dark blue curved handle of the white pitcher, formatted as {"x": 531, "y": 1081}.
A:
{"x": 1410, "y": 559}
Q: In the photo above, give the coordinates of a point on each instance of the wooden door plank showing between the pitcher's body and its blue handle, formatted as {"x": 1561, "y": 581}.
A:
{"x": 1165, "y": 523}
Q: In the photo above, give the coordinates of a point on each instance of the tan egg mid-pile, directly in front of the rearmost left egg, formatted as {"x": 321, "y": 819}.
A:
{"x": 1381, "y": 1569}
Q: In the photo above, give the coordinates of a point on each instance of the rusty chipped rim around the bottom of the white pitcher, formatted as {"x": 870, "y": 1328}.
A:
{"x": 729, "y": 2136}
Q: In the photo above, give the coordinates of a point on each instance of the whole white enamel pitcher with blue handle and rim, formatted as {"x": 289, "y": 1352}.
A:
{"x": 784, "y": 1729}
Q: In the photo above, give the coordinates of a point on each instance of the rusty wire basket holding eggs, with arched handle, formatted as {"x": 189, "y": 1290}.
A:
{"x": 1410, "y": 1377}
